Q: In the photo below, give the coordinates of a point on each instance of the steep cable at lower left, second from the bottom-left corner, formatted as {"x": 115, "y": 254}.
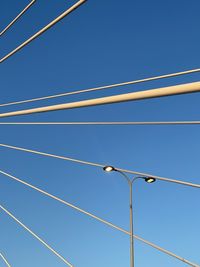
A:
{"x": 36, "y": 236}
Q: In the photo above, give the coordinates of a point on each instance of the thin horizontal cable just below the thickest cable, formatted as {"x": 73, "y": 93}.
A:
{"x": 126, "y": 123}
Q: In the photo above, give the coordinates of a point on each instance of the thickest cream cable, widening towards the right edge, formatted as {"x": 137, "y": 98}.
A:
{"x": 141, "y": 95}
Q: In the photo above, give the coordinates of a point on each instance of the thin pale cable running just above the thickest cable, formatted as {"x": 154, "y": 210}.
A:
{"x": 102, "y": 87}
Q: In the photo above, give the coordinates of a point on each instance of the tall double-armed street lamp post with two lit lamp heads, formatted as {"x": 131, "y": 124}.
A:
{"x": 130, "y": 183}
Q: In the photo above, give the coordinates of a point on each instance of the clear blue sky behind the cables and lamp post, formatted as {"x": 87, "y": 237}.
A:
{"x": 103, "y": 42}
